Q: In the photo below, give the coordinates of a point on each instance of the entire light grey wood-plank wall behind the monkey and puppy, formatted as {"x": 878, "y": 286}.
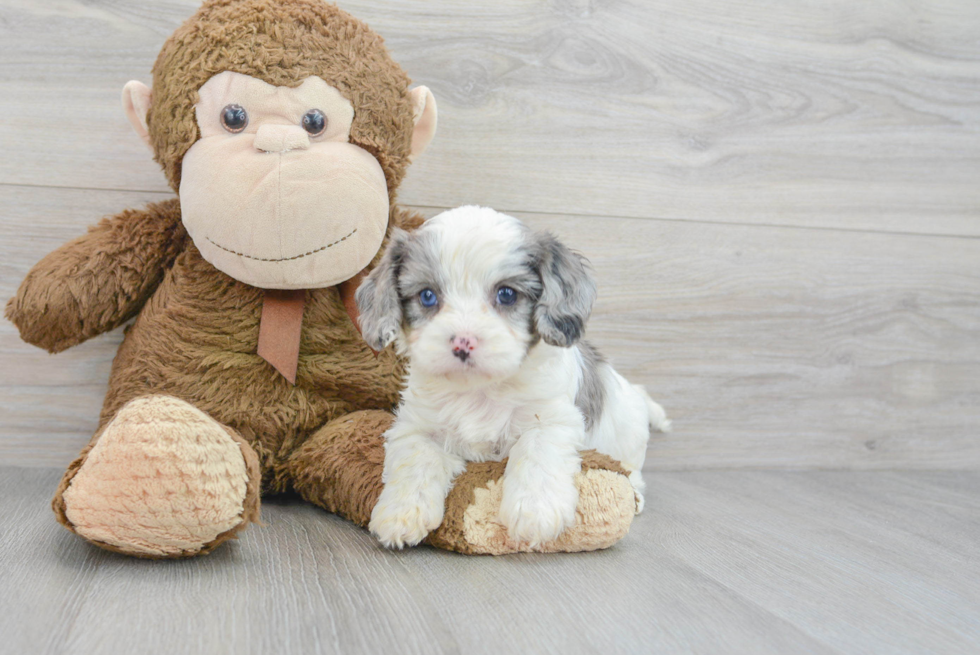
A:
{"x": 781, "y": 201}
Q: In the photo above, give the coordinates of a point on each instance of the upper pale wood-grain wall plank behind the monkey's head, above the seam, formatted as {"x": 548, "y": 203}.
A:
{"x": 836, "y": 114}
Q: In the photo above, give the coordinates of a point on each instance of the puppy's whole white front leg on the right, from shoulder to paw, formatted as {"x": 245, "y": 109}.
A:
{"x": 539, "y": 492}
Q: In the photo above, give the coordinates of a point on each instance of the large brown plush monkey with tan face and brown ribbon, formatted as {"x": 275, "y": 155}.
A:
{"x": 285, "y": 128}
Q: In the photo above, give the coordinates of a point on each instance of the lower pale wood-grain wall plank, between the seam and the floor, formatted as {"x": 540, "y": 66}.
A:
{"x": 769, "y": 347}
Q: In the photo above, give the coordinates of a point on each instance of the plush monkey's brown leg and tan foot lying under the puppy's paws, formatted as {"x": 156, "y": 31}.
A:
{"x": 339, "y": 468}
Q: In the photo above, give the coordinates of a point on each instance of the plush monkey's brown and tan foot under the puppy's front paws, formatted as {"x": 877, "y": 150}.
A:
{"x": 605, "y": 511}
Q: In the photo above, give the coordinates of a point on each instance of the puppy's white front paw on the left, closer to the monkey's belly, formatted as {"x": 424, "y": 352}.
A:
{"x": 403, "y": 519}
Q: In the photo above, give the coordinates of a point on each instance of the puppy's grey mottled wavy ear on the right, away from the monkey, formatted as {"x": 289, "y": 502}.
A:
{"x": 568, "y": 291}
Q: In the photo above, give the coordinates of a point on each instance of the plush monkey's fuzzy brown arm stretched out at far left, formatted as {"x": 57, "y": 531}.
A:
{"x": 98, "y": 281}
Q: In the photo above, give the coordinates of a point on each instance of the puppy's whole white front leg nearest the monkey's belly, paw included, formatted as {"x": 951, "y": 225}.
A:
{"x": 418, "y": 474}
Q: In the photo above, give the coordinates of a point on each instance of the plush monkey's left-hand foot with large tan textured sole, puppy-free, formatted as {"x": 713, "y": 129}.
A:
{"x": 163, "y": 479}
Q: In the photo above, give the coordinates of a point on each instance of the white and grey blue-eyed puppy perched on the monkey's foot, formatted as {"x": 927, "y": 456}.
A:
{"x": 491, "y": 316}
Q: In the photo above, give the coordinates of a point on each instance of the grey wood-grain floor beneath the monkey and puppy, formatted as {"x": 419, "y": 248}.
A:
{"x": 733, "y": 562}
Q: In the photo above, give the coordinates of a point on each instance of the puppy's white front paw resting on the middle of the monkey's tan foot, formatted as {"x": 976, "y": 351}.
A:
{"x": 537, "y": 515}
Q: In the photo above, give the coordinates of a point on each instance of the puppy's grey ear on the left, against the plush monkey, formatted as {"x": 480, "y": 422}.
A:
{"x": 377, "y": 298}
